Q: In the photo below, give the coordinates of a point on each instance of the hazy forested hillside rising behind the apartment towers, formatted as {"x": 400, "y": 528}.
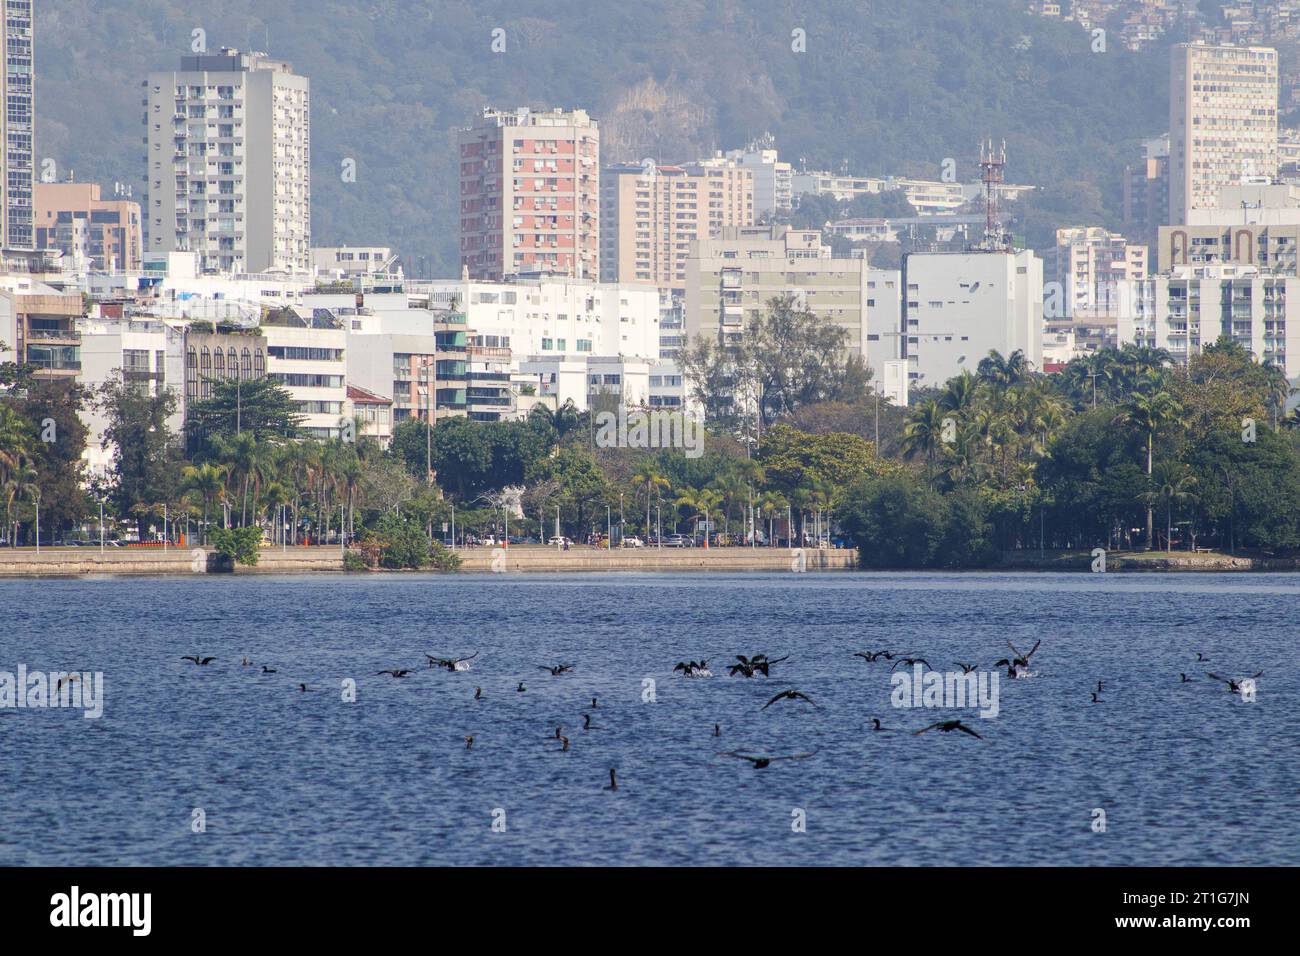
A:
{"x": 883, "y": 88}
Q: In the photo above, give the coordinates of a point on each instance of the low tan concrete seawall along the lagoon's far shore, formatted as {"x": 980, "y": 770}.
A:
{"x": 76, "y": 563}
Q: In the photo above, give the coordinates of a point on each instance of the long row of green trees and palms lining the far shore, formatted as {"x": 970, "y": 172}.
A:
{"x": 1123, "y": 449}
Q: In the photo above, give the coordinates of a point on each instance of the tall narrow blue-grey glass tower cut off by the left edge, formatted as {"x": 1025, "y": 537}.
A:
{"x": 18, "y": 128}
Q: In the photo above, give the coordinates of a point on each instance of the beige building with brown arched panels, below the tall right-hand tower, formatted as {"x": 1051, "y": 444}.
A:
{"x": 1253, "y": 224}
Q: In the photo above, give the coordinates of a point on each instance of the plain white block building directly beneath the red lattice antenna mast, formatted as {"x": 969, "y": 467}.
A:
{"x": 961, "y": 306}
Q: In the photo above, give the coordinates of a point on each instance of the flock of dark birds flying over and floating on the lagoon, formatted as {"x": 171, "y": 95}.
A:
{"x": 749, "y": 668}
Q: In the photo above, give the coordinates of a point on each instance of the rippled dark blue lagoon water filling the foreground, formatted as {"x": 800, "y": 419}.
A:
{"x": 1186, "y": 773}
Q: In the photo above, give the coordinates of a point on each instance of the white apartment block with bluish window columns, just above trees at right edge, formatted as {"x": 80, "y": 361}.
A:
{"x": 1198, "y": 305}
